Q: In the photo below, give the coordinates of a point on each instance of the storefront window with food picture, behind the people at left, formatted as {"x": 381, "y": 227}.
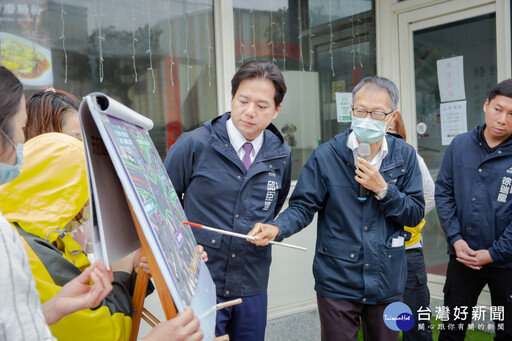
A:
{"x": 154, "y": 56}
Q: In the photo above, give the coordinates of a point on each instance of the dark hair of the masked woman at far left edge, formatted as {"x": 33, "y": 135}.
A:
{"x": 11, "y": 92}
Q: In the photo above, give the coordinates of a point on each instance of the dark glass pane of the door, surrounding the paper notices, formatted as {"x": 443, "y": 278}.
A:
{"x": 479, "y": 55}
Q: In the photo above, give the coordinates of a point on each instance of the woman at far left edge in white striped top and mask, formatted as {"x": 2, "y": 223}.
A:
{"x": 22, "y": 317}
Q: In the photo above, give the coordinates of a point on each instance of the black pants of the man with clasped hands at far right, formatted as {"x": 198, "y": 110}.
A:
{"x": 462, "y": 288}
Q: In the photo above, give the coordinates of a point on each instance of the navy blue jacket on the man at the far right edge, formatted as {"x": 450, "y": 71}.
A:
{"x": 473, "y": 197}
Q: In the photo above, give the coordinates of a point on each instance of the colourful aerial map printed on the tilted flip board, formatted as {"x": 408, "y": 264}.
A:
{"x": 160, "y": 202}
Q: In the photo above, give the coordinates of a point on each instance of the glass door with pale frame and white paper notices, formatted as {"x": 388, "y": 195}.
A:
{"x": 448, "y": 63}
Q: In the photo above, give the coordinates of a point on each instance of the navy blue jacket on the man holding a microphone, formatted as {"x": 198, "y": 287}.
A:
{"x": 354, "y": 258}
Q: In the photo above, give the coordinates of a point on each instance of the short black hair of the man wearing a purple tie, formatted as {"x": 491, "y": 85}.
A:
{"x": 260, "y": 70}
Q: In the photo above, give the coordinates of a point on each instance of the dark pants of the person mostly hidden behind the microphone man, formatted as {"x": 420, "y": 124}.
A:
{"x": 416, "y": 295}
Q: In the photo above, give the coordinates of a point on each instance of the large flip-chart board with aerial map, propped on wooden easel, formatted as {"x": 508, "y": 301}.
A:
{"x": 123, "y": 164}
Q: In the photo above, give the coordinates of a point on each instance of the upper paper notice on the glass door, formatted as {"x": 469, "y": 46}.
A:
{"x": 450, "y": 77}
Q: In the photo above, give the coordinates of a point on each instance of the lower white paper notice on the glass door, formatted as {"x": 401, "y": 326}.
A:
{"x": 453, "y": 121}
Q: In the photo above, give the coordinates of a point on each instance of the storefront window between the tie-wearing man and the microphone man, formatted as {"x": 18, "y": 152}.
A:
{"x": 322, "y": 47}
